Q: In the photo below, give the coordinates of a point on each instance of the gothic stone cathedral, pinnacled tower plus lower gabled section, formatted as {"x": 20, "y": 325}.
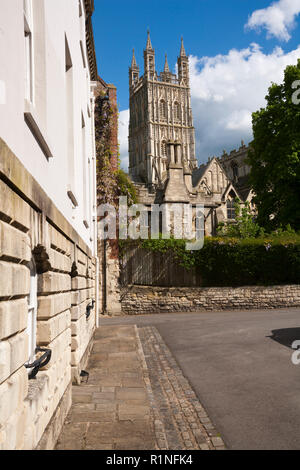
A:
{"x": 162, "y": 154}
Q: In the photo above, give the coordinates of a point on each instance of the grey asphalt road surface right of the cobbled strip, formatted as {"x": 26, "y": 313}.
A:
{"x": 239, "y": 364}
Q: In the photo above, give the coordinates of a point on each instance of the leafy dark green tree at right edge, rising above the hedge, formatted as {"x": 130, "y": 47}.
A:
{"x": 275, "y": 155}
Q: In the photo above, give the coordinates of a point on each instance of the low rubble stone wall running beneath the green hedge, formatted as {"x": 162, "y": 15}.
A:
{"x": 143, "y": 300}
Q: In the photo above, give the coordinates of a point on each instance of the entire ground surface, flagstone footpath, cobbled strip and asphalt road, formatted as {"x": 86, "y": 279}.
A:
{"x": 210, "y": 380}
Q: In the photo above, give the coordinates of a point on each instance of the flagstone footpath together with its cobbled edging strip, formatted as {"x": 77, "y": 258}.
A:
{"x": 135, "y": 398}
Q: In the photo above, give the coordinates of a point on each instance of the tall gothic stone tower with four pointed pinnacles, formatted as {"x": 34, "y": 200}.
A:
{"x": 160, "y": 114}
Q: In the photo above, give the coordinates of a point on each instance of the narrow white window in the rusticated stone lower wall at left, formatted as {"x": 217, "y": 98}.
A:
{"x": 32, "y": 314}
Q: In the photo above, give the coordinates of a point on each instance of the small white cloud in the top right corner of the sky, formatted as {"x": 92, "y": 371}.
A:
{"x": 278, "y": 19}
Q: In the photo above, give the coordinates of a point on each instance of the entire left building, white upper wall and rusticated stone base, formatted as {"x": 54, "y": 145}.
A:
{"x": 48, "y": 224}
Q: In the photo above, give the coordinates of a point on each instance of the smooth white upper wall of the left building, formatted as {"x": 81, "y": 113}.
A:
{"x": 53, "y": 20}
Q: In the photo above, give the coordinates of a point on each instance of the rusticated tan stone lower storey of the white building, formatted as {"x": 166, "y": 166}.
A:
{"x": 33, "y": 230}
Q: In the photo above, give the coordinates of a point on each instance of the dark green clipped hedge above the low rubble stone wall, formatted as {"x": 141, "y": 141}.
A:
{"x": 236, "y": 262}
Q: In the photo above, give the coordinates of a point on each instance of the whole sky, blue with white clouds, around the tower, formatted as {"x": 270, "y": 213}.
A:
{"x": 232, "y": 65}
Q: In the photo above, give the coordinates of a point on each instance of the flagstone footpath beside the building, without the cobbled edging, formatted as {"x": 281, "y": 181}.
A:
{"x": 111, "y": 409}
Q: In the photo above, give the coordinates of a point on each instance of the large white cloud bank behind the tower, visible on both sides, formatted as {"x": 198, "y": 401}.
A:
{"x": 226, "y": 90}
